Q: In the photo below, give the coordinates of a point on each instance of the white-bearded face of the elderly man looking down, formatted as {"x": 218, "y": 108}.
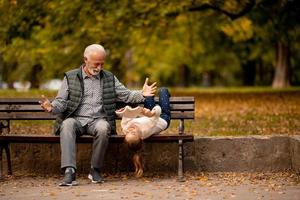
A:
{"x": 94, "y": 63}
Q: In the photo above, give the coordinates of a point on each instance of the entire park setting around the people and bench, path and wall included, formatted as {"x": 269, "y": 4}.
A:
{"x": 239, "y": 59}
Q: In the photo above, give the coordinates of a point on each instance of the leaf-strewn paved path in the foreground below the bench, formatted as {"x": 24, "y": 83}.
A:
{"x": 208, "y": 186}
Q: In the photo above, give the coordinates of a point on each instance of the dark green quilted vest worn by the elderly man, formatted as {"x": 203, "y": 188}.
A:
{"x": 75, "y": 85}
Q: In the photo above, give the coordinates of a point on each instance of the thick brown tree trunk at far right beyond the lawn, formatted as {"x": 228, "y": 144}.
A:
{"x": 282, "y": 69}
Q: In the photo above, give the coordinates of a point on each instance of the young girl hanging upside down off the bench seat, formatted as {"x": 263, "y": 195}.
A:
{"x": 140, "y": 123}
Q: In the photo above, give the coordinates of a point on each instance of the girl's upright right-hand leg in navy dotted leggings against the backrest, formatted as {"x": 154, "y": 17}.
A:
{"x": 164, "y": 103}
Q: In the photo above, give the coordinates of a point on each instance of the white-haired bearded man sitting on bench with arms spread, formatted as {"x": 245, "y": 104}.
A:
{"x": 86, "y": 104}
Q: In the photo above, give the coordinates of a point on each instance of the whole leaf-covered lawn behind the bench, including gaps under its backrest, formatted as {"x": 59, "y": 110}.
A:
{"x": 219, "y": 111}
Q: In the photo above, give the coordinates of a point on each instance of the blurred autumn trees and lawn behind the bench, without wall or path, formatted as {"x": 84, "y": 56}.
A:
{"x": 240, "y": 59}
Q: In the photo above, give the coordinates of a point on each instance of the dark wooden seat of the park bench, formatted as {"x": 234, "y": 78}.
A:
{"x": 89, "y": 139}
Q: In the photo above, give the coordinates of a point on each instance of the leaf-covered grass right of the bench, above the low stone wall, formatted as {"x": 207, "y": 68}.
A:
{"x": 246, "y": 113}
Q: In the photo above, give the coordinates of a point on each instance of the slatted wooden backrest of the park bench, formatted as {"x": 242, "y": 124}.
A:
{"x": 29, "y": 109}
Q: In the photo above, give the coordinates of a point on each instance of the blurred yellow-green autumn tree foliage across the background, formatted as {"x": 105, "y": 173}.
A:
{"x": 211, "y": 41}
